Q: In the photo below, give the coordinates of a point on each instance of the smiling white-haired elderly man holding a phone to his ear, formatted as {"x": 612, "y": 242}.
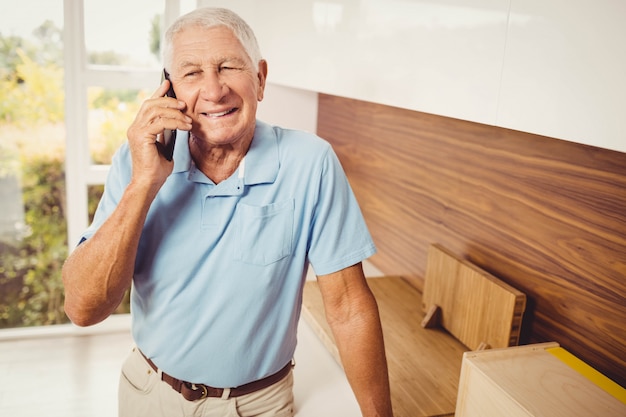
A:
{"x": 216, "y": 242}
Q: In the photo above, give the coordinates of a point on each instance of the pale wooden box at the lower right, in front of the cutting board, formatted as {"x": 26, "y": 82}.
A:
{"x": 528, "y": 381}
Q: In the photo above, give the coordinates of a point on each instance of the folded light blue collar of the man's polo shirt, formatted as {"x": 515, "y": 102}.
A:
{"x": 261, "y": 166}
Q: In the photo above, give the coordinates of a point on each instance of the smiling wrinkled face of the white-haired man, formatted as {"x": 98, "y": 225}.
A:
{"x": 214, "y": 76}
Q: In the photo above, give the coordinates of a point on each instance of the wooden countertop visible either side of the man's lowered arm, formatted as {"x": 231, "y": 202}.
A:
{"x": 424, "y": 365}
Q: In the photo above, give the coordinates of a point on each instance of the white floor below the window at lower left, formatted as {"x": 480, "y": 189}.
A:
{"x": 70, "y": 373}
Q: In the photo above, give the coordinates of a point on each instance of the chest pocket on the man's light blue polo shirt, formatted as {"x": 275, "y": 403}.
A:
{"x": 264, "y": 233}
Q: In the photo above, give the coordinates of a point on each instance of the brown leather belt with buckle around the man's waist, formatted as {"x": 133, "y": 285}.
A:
{"x": 193, "y": 392}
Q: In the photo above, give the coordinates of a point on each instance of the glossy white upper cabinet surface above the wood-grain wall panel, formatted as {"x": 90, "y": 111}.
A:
{"x": 554, "y": 67}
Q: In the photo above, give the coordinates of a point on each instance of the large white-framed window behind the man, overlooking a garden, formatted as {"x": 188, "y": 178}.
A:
{"x": 72, "y": 75}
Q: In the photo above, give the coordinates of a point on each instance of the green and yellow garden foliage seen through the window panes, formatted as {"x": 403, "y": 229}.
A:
{"x": 32, "y": 141}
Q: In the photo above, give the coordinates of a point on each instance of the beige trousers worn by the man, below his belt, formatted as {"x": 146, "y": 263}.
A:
{"x": 142, "y": 393}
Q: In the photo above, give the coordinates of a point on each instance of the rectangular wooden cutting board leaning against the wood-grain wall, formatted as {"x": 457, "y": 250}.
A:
{"x": 477, "y": 308}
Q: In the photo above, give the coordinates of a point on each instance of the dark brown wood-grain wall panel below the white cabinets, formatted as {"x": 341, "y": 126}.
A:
{"x": 546, "y": 216}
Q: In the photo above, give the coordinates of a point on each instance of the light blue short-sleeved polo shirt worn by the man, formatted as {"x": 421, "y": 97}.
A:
{"x": 217, "y": 290}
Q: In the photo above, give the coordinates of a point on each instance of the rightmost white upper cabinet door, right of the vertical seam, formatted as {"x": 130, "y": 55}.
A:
{"x": 565, "y": 71}
